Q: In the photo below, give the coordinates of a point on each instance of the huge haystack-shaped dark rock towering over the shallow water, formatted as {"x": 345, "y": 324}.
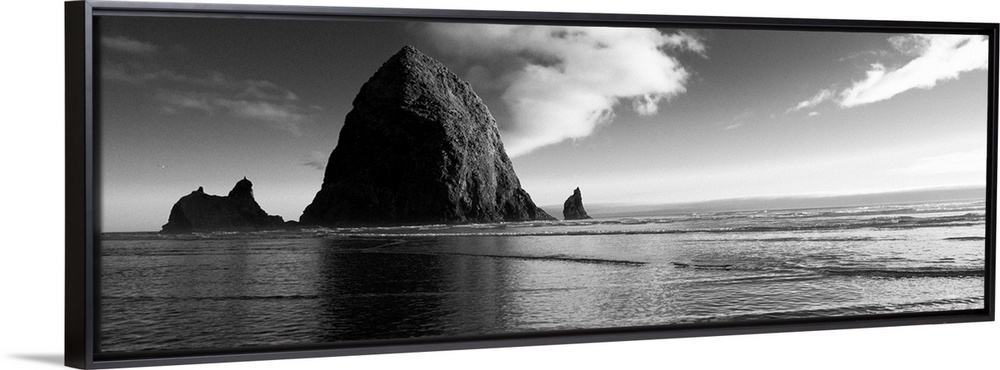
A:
{"x": 419, "y": 146}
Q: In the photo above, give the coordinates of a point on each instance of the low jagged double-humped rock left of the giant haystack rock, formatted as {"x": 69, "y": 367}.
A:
{"x": 203, "y": 212}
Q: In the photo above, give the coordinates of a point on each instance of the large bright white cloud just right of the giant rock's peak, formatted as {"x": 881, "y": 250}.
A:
{"x": 560, "y": 83}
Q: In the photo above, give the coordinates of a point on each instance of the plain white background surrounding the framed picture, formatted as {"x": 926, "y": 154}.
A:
{"x": 31, "y": 211}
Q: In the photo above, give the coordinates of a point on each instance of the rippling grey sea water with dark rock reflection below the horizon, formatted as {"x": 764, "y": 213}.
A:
{"x": 225, "y": 290}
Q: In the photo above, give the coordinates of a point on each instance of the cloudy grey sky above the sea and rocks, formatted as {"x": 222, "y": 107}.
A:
{"x": 630, "y": 115}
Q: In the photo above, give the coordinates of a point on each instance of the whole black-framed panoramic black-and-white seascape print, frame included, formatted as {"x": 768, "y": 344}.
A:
{"x": 267, "y": 182}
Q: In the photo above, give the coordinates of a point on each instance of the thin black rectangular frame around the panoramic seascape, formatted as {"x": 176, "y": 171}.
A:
{"x": 82, "y": 262}
